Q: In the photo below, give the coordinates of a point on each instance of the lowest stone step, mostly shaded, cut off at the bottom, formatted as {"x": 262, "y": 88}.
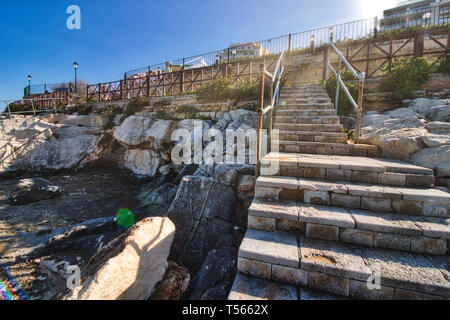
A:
{"x": 252, "y": 288}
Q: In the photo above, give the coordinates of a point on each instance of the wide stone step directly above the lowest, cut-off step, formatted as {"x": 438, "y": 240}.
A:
{"x": 343, "y": 269}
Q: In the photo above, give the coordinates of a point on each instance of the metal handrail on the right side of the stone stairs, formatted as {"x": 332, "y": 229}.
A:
{"x": 358, "y": 106}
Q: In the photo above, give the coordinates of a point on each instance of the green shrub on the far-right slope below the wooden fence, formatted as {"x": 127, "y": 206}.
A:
{"x": 405, "y": 76}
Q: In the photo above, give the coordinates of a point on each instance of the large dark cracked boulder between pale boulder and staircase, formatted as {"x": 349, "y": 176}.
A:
{"x": 202, "y": 210}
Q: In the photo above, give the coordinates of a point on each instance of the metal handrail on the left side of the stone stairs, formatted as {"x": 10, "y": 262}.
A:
{"x": 274, "y": 98}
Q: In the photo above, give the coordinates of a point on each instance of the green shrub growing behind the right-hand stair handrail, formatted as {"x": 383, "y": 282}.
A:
{"x": 345, "y": 107}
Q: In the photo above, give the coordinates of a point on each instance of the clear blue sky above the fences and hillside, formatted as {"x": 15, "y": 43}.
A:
{"x": 118, "y": 35}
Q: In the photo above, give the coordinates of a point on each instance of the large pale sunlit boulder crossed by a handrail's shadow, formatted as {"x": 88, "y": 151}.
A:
{"x": 129, "y": 267}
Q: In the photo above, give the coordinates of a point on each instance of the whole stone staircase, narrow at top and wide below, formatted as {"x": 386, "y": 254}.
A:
{"x": 332, "y": 216}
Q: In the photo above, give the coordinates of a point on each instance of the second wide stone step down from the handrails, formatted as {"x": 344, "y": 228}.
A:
{"x": 401, "y": 200}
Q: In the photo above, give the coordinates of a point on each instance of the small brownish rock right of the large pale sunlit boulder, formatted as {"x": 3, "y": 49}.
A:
{"x": 173, "y": 285}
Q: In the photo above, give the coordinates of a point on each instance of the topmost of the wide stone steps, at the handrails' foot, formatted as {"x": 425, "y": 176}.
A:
{"x": 351, "y": 169}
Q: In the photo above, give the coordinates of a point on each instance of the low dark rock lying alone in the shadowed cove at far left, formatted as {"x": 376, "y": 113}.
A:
{"x": 33, "y": 190}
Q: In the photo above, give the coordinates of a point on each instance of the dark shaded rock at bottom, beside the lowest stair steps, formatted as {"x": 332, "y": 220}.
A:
{"x": 213, "y": 281}
